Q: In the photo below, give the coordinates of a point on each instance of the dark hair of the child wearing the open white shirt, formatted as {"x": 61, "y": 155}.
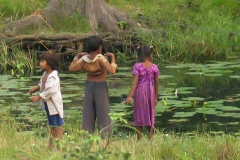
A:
{"x": 51, "y": 59}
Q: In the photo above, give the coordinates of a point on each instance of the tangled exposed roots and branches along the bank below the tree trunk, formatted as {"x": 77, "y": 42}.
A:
{"x": 66, "y": 43}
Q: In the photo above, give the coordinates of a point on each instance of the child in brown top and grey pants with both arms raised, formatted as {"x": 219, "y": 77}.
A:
{"x": 96, "y": 100}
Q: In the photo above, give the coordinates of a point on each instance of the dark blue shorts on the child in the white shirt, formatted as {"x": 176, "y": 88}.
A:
{"x": 53, "y": 120}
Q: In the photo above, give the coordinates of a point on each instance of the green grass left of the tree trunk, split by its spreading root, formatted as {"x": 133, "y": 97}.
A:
{"x": 14, "y": 10}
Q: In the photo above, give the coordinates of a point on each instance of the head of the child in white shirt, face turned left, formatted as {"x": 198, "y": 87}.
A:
{"x": 49, "y": 60}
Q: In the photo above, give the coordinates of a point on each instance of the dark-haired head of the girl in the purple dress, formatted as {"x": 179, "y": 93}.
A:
{"x": 144, "y": 52}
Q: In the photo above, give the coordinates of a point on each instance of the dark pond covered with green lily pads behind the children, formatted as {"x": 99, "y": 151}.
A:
{"x": 192, "y": 97}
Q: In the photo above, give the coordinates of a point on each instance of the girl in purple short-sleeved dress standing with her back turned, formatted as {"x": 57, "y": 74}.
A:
{"x": 145, "y": 91}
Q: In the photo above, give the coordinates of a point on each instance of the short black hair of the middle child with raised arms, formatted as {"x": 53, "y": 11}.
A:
{"x": 94, "y": 42}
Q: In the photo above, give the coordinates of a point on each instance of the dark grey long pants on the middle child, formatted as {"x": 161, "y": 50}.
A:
{"x": 96, "y": 106}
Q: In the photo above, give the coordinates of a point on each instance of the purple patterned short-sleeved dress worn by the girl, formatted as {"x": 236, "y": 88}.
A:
{"x": 144, "y": 96}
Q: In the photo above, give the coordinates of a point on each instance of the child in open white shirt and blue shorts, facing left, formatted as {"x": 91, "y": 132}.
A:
{"x": 50, "y": 95}
